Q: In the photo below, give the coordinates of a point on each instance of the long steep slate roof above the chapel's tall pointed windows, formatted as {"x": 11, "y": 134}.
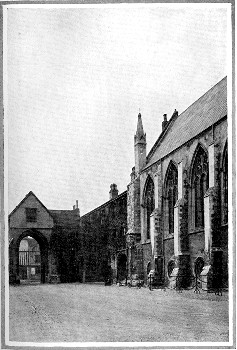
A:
{"x": 203, "y": 113}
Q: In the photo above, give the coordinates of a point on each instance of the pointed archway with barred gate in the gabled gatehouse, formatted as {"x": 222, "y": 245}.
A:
{"x": 29, "y": 257}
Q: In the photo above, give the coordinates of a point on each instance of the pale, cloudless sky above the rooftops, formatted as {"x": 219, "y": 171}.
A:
{"x": 77, "y": 79}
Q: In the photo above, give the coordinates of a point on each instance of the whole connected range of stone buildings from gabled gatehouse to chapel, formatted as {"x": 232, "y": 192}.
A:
{"x": 173, "y": 217}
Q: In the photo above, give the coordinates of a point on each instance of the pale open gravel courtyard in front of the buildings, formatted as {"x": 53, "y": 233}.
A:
{"x": 95, "y": 313}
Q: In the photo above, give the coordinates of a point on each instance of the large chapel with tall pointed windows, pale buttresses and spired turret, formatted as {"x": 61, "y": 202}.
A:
{"x": 178, "y": 195}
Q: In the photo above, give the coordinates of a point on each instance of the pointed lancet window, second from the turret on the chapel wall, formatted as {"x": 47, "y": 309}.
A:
{"x": 171, "y": 194}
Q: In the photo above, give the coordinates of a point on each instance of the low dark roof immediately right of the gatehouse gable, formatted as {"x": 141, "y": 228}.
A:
{"x": 65, "y": 217}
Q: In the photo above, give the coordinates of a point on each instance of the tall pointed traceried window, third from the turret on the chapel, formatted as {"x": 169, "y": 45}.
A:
{"x": 200, "y": 182}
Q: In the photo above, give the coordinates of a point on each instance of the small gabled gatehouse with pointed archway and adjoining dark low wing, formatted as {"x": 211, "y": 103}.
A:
{"x": 43, "y": 242}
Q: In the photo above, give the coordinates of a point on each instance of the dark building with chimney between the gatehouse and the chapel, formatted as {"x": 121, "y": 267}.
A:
{"x": 103, "y": 230}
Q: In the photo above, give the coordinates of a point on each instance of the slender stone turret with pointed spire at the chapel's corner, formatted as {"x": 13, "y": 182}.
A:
{"x": 139, "y": 146}
